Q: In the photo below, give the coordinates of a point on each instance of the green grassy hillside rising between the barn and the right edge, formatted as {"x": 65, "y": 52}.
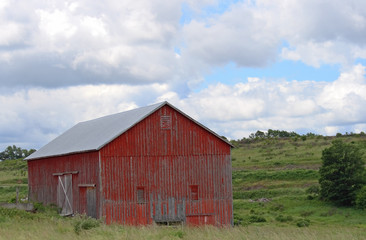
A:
{"x": 275, "y": 182}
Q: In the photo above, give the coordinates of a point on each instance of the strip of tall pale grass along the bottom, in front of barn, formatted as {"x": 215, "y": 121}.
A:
{"x": 21, "y": 225}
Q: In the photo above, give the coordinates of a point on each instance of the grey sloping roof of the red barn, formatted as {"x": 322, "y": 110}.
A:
{"x": 94, "y": 134}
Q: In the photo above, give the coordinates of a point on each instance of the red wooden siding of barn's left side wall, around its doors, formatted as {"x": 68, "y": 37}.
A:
{"x": 43, "y": 183}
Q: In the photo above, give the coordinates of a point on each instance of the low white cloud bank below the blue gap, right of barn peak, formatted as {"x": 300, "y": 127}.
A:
{"x": 303, "y": 106}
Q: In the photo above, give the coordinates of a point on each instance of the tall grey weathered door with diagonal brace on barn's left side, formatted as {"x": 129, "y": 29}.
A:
{"x": 64, "y": 194}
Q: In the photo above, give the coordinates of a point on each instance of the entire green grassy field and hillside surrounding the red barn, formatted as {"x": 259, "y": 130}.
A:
{"x": 271, "y": 178}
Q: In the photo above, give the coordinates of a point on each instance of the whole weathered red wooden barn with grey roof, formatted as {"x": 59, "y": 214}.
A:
{"x": 153, "y": 164}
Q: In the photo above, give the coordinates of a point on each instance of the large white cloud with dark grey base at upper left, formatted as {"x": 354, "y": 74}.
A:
{"x": 116, "y": 42}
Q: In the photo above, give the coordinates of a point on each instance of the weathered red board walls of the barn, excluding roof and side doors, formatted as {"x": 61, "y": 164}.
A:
{"x": 181, "y": 171}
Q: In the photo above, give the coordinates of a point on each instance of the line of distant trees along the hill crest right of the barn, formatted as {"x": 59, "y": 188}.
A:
{"x": 271, "y": 134}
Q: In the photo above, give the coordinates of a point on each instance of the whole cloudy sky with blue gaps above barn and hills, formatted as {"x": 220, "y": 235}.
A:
{"x": 235, "y": 66}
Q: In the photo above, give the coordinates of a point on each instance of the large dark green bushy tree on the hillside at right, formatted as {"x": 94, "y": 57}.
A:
{"x": 342, "y": 173}
